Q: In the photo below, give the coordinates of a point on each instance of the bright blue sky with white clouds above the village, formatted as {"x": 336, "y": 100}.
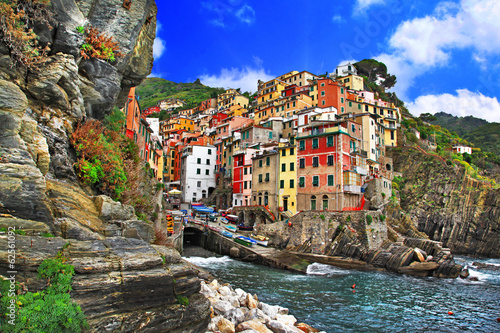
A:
{"x": 445, "y": 54}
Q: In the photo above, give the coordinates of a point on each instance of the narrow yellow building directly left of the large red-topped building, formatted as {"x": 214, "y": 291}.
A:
{"x": 287, "y": 176}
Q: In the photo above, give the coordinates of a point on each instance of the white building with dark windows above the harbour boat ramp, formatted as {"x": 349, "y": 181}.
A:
{"x": 197, "y": 172}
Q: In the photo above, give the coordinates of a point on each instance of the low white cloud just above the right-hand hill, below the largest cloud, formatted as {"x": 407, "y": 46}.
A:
{"x": 464, "y": 103}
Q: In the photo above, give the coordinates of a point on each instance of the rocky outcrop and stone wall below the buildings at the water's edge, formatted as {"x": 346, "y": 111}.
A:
{"x": 359, "y": 240}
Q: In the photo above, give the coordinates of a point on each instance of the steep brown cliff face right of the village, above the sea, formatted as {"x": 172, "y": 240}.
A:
{"x": 449, "y": 206}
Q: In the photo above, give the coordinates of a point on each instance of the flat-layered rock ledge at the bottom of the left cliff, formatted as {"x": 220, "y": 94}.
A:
{"x": 121, "y": 284}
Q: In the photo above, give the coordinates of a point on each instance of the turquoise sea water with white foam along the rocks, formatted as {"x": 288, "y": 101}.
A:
{"x": 380, "y": 302}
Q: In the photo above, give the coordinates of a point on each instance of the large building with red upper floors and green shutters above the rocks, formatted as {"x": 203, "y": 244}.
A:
{"x": 328, "y": 158}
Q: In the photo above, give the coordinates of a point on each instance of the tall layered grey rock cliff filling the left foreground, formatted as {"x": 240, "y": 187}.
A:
{"x": 122, "y": 283}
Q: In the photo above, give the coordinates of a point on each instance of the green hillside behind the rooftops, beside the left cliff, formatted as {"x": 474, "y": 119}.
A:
{"x": 153, "y": 90}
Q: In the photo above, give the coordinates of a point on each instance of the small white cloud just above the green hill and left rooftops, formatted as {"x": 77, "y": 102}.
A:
{"x": 245, "y": 78}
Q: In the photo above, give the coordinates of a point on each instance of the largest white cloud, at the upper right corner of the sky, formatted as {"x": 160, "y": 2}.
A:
{"x": 421, "y": 44}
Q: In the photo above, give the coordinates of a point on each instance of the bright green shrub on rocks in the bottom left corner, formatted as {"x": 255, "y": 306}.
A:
{"x": 49, "y": 310}
